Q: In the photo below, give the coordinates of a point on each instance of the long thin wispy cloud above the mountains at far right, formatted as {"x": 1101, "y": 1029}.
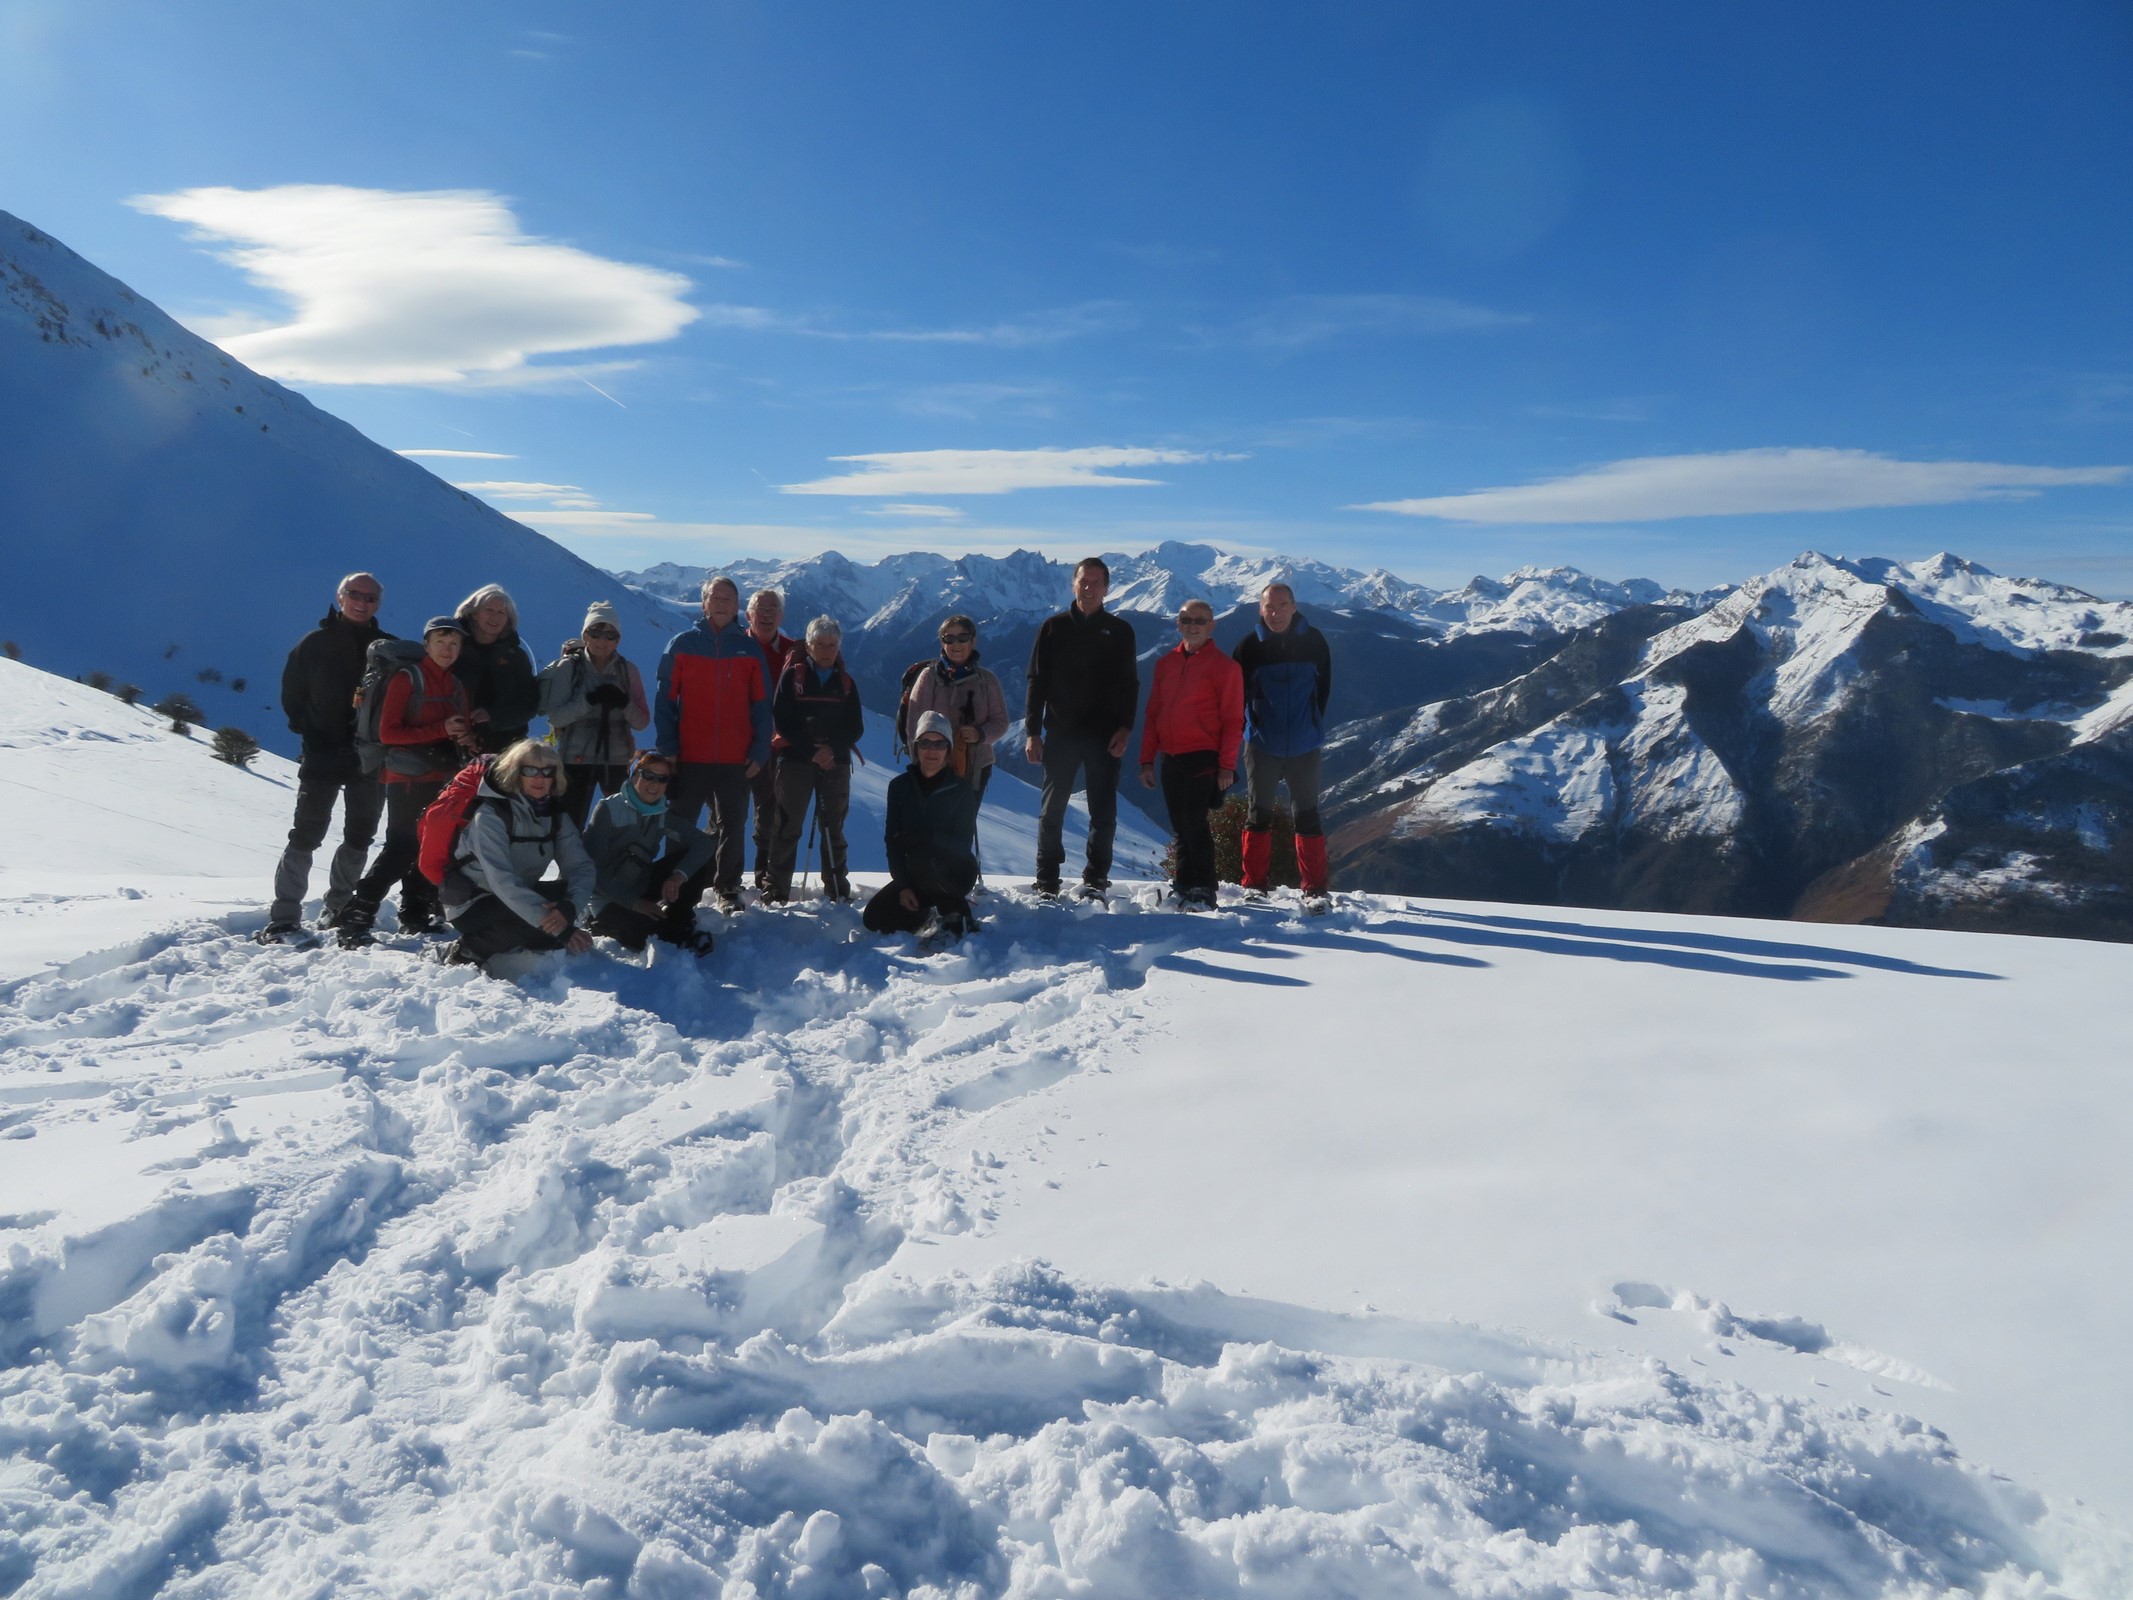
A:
{"x": 1737, "y": 483}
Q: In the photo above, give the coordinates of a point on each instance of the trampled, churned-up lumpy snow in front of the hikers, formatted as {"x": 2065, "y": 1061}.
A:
{"x": 575, "y": 1287}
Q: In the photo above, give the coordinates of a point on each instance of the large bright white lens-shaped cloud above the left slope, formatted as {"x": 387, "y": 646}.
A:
{"x": 434, "y": 289}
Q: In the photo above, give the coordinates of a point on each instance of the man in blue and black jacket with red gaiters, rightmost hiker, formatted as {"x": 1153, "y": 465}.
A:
{"x": 1287, "y": 682}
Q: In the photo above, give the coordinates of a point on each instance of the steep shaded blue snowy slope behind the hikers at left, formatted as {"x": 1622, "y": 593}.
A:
{"x": 176, "y": 515}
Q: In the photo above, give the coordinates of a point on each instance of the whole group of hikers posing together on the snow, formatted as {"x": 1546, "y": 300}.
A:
{"x": 500, "y": 835}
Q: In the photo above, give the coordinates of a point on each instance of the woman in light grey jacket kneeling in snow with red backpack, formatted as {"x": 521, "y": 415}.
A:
{"x": 515, "y": 833}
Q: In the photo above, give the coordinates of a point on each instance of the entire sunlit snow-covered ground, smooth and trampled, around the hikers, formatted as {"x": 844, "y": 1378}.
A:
{"x": 1424, "y": 1249}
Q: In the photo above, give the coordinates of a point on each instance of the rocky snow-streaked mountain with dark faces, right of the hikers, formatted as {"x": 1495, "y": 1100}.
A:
{"x": 1786, "y": 731}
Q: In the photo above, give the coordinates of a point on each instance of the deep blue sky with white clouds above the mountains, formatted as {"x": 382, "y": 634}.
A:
{"x": 1650, "y": 291}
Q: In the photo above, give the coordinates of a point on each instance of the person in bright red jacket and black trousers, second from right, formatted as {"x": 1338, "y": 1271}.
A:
{"x": 1196, "y": 722}
